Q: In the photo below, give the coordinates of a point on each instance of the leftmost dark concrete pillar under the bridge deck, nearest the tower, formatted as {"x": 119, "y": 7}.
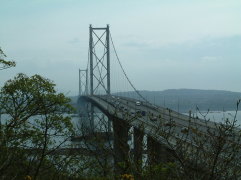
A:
{"x": 121, "y": 147}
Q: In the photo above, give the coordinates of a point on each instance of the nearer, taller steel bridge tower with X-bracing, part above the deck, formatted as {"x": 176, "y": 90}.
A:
{"x": 99, "y": 61}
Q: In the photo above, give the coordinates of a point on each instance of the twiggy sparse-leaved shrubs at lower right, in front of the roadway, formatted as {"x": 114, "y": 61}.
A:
{"x": 204, "y": 150}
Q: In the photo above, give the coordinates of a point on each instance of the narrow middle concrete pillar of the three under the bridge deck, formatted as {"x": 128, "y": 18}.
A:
{"x": 138, "y": 150}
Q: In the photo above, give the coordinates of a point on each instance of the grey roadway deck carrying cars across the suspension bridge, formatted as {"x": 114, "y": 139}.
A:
{"x": 153, "y": 120}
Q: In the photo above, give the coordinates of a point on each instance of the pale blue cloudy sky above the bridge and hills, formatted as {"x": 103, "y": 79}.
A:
{"x": 161, "y": 44}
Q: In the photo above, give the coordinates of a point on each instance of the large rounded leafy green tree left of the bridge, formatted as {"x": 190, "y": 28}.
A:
{"x": 35, "y": 126}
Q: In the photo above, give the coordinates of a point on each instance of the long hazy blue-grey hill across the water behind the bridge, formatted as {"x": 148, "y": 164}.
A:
{"x": 183, "y": 100}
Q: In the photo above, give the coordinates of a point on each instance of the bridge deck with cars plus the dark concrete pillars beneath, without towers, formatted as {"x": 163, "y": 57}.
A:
{"x": 162, "y": 126}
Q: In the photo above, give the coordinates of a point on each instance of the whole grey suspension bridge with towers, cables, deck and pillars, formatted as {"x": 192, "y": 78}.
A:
{"x": 104, "y": 87}
